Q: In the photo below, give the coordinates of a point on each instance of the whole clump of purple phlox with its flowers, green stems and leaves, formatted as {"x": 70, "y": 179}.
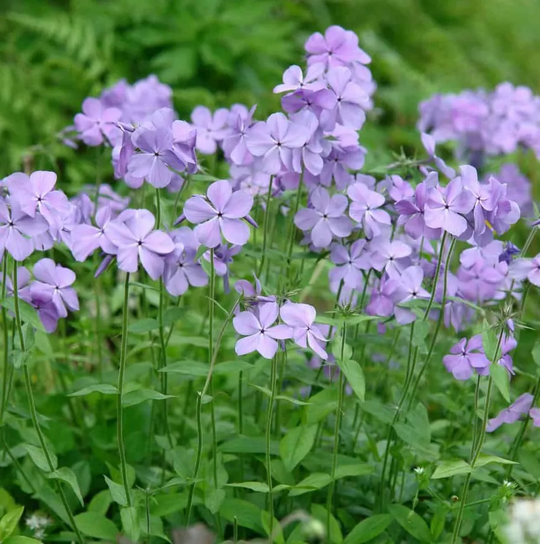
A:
{"x": 335, "y": 279}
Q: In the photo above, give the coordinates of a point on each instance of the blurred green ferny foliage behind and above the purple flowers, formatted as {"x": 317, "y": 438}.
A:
{"x": 54, "y": 53}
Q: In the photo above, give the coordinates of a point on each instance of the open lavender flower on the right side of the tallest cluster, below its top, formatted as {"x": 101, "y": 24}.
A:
{"x": 351, "y": 100}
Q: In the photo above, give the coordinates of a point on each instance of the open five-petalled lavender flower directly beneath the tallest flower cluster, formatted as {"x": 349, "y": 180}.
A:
{"x": 325, "y": 219}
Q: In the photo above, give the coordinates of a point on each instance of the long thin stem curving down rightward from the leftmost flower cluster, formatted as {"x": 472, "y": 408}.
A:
{"x": 33, "y": 411}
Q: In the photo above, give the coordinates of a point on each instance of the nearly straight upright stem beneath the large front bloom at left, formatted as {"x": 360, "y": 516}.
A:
{"x": 120, "y": 396}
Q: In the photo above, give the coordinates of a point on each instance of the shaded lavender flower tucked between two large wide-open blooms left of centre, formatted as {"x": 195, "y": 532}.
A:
{"x": 181, "y": 267}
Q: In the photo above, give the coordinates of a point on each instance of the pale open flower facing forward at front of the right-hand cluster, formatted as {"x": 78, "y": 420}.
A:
{"x": 445, "y": 209}
